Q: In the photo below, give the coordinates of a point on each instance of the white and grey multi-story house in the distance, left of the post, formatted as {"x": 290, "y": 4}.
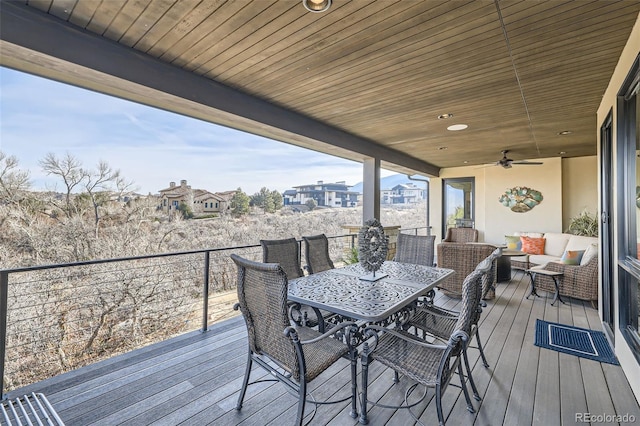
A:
{"x": 325, "y": 194}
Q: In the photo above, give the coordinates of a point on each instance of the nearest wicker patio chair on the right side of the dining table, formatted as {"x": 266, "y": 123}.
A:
{"x": 432, "y": 365}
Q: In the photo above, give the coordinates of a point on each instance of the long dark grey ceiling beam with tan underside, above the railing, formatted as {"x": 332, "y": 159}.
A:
{"x": 39, "y": 43}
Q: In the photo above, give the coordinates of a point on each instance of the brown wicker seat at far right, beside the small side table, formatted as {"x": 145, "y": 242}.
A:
{"x": 577, "y": 281}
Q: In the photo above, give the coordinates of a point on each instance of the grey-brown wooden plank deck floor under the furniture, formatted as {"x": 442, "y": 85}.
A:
{"x": 194, "y": 379}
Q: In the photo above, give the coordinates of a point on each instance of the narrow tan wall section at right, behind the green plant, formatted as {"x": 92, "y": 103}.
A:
{"x": 579, "y": 187}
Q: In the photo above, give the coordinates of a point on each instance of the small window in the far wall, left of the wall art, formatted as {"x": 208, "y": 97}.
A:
{"x": 458, "y": 203}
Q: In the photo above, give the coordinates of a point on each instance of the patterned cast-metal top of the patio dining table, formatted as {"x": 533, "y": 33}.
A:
{"x": 353, "y": 293}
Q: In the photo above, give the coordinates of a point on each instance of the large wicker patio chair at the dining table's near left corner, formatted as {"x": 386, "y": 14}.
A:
{"x": 294, "y": 355}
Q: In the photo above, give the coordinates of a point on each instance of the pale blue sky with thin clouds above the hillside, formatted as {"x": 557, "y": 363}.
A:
{"x": 150, "y": 147}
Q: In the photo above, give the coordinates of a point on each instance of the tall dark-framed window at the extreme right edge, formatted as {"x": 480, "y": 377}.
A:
{"x": 628, "y": 235}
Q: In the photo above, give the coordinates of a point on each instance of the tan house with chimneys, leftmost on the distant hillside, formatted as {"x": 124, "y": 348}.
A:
{"x": 200, "y": 200}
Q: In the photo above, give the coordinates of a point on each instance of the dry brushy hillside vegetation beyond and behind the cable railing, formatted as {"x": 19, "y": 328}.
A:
{"x": 60, "y": 319}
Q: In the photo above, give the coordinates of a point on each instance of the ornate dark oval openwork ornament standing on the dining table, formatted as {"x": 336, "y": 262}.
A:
{"x": 373, "y": 245}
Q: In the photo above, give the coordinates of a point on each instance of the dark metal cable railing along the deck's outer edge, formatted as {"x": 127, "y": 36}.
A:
{"x": 59, "y": 317}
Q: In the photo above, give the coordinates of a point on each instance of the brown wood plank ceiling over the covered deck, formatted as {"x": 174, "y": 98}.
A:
{"x": 516, "y": 72}
